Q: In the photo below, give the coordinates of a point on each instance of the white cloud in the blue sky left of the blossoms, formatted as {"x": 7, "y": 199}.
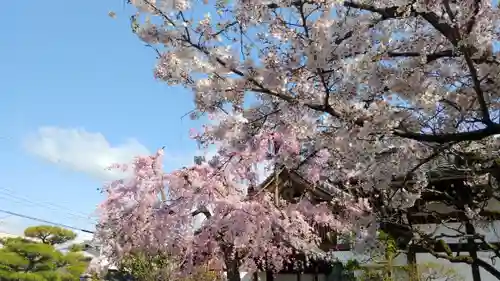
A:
{"x": 83, "y": 151}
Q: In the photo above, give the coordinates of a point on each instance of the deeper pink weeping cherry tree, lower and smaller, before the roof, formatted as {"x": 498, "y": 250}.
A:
{"x": 239, "y": 231}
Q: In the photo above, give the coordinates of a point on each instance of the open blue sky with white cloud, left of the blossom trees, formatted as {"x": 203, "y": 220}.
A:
{"x": 77, "y": 91}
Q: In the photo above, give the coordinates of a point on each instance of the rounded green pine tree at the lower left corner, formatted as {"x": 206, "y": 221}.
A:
{"x": 36, "y": 258}
